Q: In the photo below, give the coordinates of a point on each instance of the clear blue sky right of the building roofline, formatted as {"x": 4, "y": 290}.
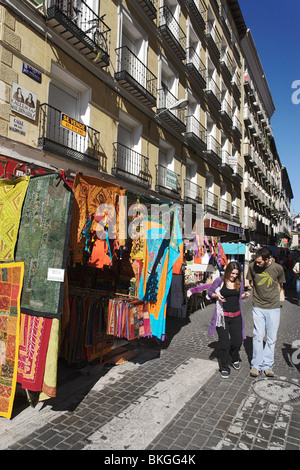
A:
{"x": 274, "y": 25}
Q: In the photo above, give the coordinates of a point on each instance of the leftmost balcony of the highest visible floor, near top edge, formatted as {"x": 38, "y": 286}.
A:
{"x": 172, "y": 32}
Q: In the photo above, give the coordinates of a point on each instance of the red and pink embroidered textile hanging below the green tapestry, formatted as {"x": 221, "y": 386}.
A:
{"x": 34, "y": 340}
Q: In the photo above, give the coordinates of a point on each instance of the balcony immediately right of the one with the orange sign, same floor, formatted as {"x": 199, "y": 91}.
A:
{"x": 130, "y": 165}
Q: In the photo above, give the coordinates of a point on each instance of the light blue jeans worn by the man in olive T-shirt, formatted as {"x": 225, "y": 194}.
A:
{"x": 266, "y": 321}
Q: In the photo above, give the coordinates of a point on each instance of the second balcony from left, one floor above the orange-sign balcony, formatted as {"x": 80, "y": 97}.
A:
{"x": 135, "y": 77}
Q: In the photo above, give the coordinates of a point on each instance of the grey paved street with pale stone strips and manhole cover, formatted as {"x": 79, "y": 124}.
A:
{"x": 171, "y": 397}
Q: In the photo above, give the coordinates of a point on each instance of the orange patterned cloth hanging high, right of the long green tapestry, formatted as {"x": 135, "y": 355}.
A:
{"x": 89, "y": 194}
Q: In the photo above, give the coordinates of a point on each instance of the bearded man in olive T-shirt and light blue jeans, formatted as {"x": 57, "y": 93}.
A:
{"x": 266, "y": 278}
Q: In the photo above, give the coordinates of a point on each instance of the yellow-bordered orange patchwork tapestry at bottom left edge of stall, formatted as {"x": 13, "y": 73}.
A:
{"x": 11, "y": 281}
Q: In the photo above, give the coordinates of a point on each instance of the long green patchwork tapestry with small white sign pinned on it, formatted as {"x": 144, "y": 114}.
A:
{"x": 43, "y": 244}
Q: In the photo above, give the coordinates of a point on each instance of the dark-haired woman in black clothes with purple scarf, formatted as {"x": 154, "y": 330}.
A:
{"x": 227, "y": 317}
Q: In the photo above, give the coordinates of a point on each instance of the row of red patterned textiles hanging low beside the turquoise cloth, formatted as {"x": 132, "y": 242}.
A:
{"x": 128, "y": 319}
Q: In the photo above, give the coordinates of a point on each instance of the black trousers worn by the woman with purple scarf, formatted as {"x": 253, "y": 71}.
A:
{"x": 230, "y": 341}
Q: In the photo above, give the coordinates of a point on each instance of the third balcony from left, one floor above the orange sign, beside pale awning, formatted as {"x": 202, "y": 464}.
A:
{"x": 174, "y": 118}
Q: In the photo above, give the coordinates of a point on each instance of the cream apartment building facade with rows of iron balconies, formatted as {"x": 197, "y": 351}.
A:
{"x": 150, "y": 94}
